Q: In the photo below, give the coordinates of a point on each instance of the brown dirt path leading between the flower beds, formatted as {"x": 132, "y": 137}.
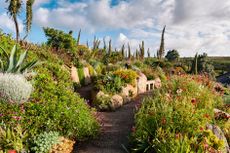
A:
{"x": 116, "y": 128}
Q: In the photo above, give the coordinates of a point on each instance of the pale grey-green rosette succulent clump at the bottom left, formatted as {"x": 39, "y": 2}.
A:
{"x": 44, "y": 142}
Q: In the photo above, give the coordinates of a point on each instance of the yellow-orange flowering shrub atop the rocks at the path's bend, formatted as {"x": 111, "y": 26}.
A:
{"x": 127, "y": 75}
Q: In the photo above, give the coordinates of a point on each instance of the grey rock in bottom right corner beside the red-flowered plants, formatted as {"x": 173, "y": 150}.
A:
{"x": 220, "y": 135}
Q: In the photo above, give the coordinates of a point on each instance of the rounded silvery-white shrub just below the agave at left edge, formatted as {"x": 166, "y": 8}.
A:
{"x": 14, "y": 88}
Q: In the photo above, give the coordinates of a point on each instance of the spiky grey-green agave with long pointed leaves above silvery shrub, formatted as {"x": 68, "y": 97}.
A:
{"x": 14, "y": 64}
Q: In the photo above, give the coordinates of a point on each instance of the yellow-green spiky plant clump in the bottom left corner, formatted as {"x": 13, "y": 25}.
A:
{"x": 12, "y": 138}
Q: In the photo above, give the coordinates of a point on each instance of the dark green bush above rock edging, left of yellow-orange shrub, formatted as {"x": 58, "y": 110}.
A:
{"x": 108, "y": 83}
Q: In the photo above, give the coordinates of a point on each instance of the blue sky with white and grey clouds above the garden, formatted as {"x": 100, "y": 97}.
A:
{"x": 191, "y": 25}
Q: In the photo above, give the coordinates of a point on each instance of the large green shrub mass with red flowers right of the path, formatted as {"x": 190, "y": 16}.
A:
{"x": 175, "y": 119}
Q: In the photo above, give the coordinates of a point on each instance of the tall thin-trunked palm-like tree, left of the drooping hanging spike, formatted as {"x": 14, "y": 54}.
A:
{"x": 14, "y": 10}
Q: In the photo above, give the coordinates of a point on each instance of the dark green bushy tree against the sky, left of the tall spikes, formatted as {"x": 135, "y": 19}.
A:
{"x": 60, "y": 40}
